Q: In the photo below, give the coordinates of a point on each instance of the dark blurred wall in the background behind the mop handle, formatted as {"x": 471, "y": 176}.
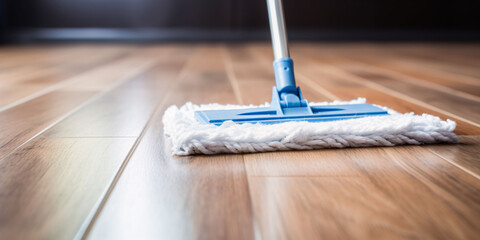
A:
{"x": 315, "y": 19}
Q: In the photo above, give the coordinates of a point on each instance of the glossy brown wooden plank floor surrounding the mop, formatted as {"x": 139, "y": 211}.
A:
{"x": 82, "y": 153}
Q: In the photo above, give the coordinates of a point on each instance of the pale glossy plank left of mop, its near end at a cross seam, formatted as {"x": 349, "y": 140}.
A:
{"x": 125, "y": 110}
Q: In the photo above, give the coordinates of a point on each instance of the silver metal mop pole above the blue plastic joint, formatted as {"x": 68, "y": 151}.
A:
{"x": 277, "y": 29}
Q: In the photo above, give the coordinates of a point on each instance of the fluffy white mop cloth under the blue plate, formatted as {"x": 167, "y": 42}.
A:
{"x": 188, "y": 136}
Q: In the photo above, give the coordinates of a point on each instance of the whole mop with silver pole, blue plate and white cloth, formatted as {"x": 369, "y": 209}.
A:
{"x": 290, "y": 122}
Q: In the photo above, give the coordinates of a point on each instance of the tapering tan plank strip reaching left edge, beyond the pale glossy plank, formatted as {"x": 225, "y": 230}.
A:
{"x": 24, "y": 121}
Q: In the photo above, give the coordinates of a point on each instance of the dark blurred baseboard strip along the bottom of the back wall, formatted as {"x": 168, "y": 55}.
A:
{"x": 163, "y": 35}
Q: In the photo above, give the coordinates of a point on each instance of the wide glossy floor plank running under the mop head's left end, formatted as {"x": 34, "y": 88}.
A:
{"x": 197, "y": 197}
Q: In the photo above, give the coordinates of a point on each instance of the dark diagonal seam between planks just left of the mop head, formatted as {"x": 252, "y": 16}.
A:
{"x": 91, "y": 219}
